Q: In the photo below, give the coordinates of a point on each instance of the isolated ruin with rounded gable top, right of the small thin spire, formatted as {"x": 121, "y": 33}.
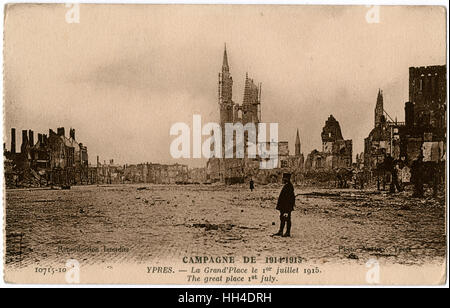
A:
{"x": 336, "y": 152}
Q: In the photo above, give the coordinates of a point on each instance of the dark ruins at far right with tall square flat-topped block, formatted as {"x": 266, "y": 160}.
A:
{"x": 424, "y": 129}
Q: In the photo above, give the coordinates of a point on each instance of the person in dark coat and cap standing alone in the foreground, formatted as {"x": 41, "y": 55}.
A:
{"x": 285, "y": 205}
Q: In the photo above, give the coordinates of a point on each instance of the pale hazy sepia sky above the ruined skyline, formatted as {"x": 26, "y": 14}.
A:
{"x": 125, "y": 74}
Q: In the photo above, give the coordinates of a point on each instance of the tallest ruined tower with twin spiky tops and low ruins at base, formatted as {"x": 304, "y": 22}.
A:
{"x": 238, "y": 170}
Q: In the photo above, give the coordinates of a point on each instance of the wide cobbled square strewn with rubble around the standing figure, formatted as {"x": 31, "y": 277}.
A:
{"x": 145, "y": 223}
